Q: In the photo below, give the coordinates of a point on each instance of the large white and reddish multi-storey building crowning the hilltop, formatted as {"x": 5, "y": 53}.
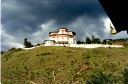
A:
{"x": 63, "y": 36}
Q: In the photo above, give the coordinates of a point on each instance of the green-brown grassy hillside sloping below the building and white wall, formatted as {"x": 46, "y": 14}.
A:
{"x": 65, "y": 65}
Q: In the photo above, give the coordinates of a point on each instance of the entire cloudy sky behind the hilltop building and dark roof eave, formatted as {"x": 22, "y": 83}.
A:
{"x": 34, "y": 19}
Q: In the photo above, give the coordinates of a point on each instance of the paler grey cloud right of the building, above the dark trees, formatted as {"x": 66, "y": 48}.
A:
{"x": 86, "y": 27}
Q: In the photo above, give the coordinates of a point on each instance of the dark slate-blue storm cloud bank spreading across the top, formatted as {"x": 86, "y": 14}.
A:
{"x": 33, "y": 13}
